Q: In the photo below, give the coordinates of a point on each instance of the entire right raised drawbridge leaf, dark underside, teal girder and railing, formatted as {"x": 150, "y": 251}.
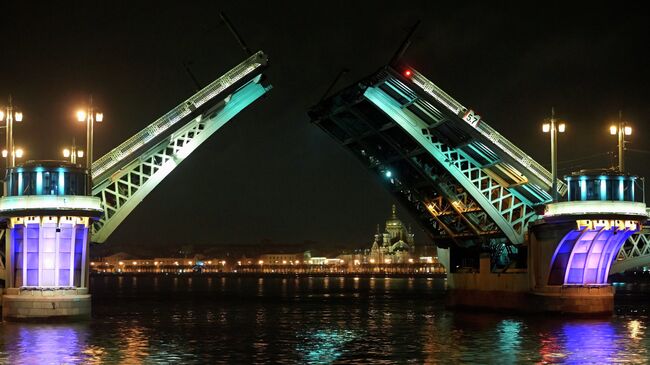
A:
{"x": 462, "y": 179}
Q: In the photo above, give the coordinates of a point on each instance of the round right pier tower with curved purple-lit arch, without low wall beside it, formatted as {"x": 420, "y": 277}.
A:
{"x": 581, "y": 238}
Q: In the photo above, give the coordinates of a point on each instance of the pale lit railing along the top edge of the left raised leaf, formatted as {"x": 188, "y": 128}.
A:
{"x": 162, "y": 124}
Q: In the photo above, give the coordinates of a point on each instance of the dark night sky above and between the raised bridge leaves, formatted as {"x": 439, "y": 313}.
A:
{"x": 269, "y": 173}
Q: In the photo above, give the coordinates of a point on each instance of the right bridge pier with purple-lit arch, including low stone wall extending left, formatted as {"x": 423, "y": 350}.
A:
{"x": 570, "y": 251}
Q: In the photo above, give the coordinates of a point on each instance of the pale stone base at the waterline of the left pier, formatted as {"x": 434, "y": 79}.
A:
{"x": 46, "y": 304}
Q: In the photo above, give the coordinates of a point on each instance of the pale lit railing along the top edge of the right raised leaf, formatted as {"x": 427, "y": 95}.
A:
{"x": 488, "y": 132}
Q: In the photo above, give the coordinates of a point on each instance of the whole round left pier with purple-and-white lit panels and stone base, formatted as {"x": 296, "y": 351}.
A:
{"x": 46, "y": 213}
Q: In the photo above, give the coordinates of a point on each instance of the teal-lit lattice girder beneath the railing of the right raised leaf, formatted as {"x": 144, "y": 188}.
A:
{"x": 510, "y": 213}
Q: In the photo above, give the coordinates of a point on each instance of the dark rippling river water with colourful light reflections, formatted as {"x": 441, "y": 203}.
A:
{"x": 214, "y": 320}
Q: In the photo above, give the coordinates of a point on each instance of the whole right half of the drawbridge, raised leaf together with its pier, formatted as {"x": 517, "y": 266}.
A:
{"x": 484, "y": 202}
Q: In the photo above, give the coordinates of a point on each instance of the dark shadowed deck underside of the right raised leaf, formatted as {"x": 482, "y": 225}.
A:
{"x": 419, "y": 181}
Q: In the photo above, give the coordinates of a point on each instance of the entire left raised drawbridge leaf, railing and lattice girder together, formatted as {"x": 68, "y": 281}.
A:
{"x": 127, "y": 174}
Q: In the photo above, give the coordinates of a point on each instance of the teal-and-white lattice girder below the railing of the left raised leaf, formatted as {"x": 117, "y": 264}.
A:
{"x": 126, "y": 188}
